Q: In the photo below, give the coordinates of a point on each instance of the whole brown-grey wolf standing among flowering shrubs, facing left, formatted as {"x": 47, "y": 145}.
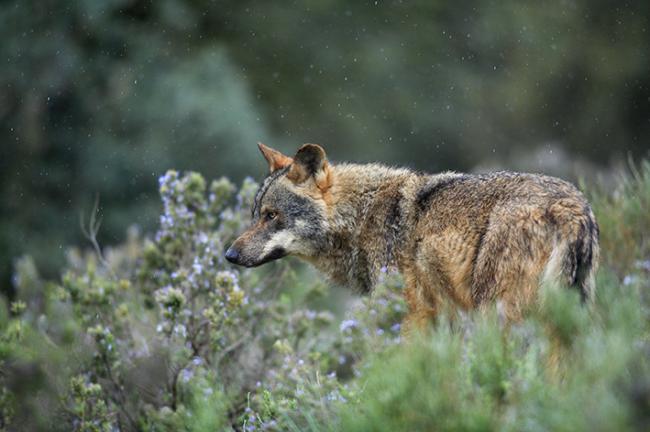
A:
{"x": 459, "y": 240}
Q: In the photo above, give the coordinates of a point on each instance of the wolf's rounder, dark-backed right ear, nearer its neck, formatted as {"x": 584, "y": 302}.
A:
{"x": 311, "y": 162}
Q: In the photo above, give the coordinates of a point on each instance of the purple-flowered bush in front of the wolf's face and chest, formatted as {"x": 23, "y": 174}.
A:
{"x": 169, "y": 336}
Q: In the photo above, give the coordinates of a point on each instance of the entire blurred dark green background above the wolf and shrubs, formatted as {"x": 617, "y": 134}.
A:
{"x": 100, "y": 97}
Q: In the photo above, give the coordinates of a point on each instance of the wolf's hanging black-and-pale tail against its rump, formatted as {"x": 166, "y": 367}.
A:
{"x": 574, "y": 259}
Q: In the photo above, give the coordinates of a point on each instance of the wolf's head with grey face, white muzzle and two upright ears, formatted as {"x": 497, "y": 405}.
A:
{"x": 289, "y": 215}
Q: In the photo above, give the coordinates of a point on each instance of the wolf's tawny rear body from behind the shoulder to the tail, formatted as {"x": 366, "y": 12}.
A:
{"x": 504, "y": 233}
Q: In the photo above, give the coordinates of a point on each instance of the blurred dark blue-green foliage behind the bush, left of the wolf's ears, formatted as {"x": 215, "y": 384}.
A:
{"x": 99, "y": 98}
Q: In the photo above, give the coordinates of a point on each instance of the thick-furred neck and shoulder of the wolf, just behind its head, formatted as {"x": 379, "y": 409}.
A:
{"x": 368, "y": 222}
